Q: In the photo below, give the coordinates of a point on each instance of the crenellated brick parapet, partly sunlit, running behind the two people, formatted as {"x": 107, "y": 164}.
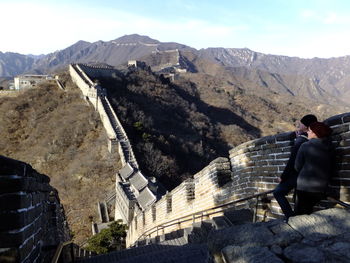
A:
{"x": 253, "y": 167}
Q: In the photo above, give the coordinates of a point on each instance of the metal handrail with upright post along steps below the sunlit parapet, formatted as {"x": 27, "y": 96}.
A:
{"x": 204, "y": 214}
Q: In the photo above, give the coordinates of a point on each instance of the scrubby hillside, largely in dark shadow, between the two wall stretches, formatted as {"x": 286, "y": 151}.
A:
{"x": 177, "y": 128}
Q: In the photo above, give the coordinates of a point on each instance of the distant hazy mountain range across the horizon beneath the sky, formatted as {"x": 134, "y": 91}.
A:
{"x": 322, "y": 80}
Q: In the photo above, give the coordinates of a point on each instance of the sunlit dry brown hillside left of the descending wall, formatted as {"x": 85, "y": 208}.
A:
{"x": 60, "y": 135}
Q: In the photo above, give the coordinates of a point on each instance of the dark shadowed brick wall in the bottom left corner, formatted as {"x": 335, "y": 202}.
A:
{"x": 32, "y": 218}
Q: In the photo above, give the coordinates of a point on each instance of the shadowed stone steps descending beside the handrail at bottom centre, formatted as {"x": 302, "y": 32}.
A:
{"x": 184, "y": 245}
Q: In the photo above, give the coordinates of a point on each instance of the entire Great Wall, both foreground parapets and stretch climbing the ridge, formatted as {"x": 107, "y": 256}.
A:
{"x": 34, "y": 218}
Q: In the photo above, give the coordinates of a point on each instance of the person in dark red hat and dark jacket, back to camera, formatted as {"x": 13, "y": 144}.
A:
{"x": 314, "y": 164}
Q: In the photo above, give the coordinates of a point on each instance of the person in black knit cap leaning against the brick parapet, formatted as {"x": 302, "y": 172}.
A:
{"x": 288, "y": 180}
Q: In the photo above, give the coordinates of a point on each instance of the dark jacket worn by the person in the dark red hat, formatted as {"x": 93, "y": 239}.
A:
{"x": 314, "y": 164}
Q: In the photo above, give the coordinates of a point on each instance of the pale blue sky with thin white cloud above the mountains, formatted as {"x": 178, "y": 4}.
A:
{"x": 305, "y": 28}
